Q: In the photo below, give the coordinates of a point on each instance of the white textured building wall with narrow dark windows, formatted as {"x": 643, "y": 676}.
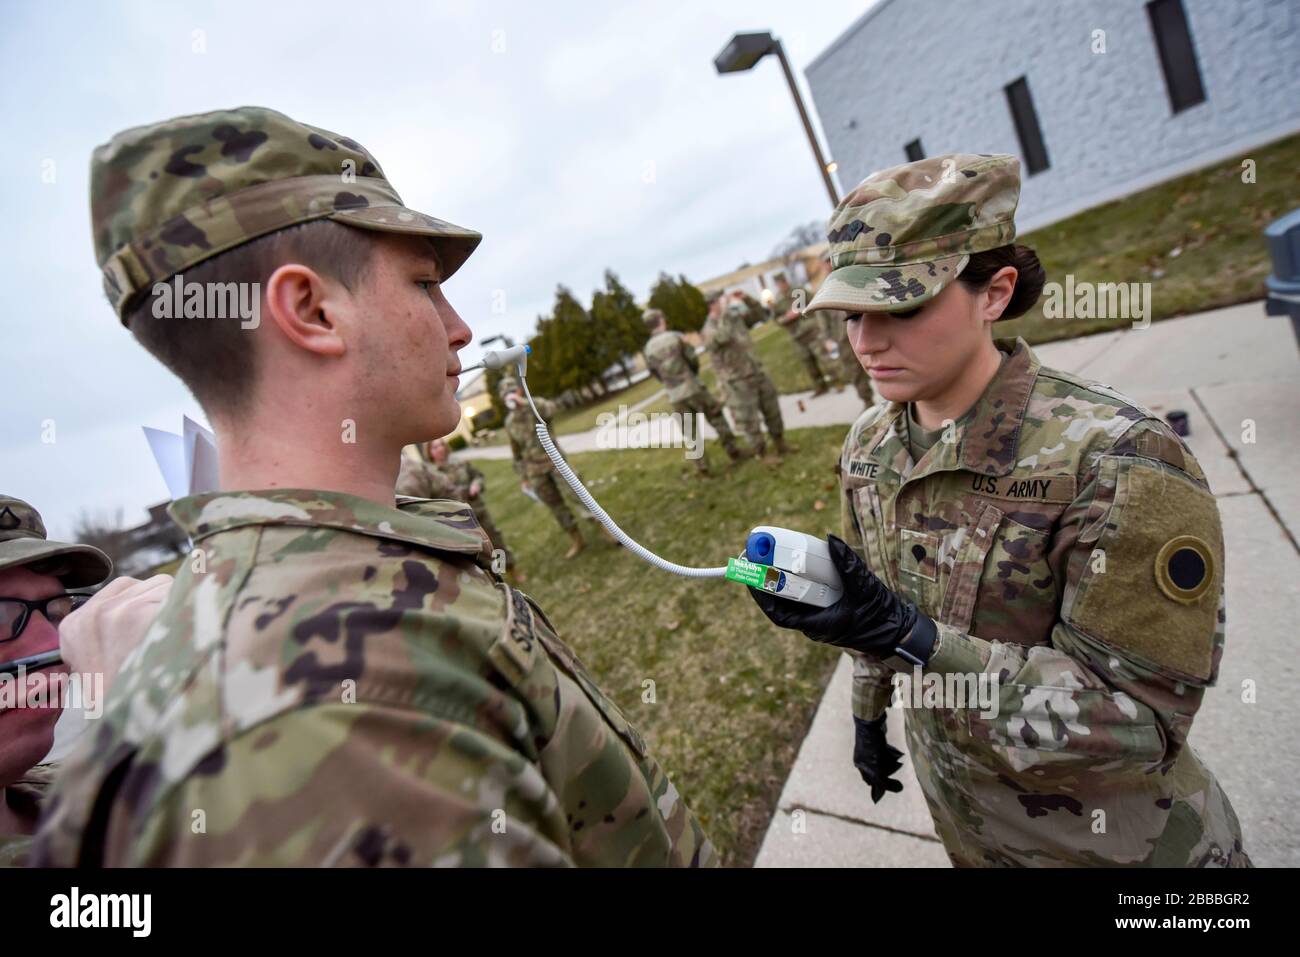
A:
{"x": 937, "y": 70}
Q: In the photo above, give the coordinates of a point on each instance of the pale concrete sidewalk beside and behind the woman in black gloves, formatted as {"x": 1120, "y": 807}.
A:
{"x": 1232, "y": 371}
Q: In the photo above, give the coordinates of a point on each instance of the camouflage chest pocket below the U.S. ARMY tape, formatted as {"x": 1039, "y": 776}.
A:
{"x": 1003, "y": 587}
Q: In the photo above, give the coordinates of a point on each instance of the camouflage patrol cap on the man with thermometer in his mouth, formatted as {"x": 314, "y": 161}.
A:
{"x": 170, "y": 196}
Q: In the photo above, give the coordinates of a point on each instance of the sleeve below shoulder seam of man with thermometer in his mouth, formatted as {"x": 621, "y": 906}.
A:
{"x": 387, "y": 783}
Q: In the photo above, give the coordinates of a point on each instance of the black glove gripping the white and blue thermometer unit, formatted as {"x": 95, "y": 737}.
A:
{"x": 869, "y": 617}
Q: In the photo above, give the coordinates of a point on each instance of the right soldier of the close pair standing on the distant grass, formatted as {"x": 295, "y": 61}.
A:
{"x": 747, "y": 389}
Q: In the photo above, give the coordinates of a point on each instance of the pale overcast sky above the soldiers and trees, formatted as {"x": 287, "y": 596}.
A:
{"x": 575, "y": 137}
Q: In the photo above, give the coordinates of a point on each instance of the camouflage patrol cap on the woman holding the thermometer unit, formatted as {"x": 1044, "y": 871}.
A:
{"x": 905, "y": 233}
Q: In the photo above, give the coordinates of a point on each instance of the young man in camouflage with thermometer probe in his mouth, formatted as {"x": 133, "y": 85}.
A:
{"x": 332, "y": 681}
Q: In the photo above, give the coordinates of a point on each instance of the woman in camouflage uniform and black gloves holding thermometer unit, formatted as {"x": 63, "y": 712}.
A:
{"x": 1060, "y": 543}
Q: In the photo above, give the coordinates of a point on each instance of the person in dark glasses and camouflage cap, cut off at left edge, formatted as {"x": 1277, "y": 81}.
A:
{"x": 36, "y": 575}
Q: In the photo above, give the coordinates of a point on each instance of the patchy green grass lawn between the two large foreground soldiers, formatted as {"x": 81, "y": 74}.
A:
{"x": 735, "y": 695}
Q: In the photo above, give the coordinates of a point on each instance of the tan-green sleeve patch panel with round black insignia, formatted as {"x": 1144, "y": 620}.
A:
{"x": 1154, "y": 592}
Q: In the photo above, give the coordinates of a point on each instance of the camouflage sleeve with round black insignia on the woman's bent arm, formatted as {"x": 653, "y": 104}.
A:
{"x": 1139, "y": 634}
